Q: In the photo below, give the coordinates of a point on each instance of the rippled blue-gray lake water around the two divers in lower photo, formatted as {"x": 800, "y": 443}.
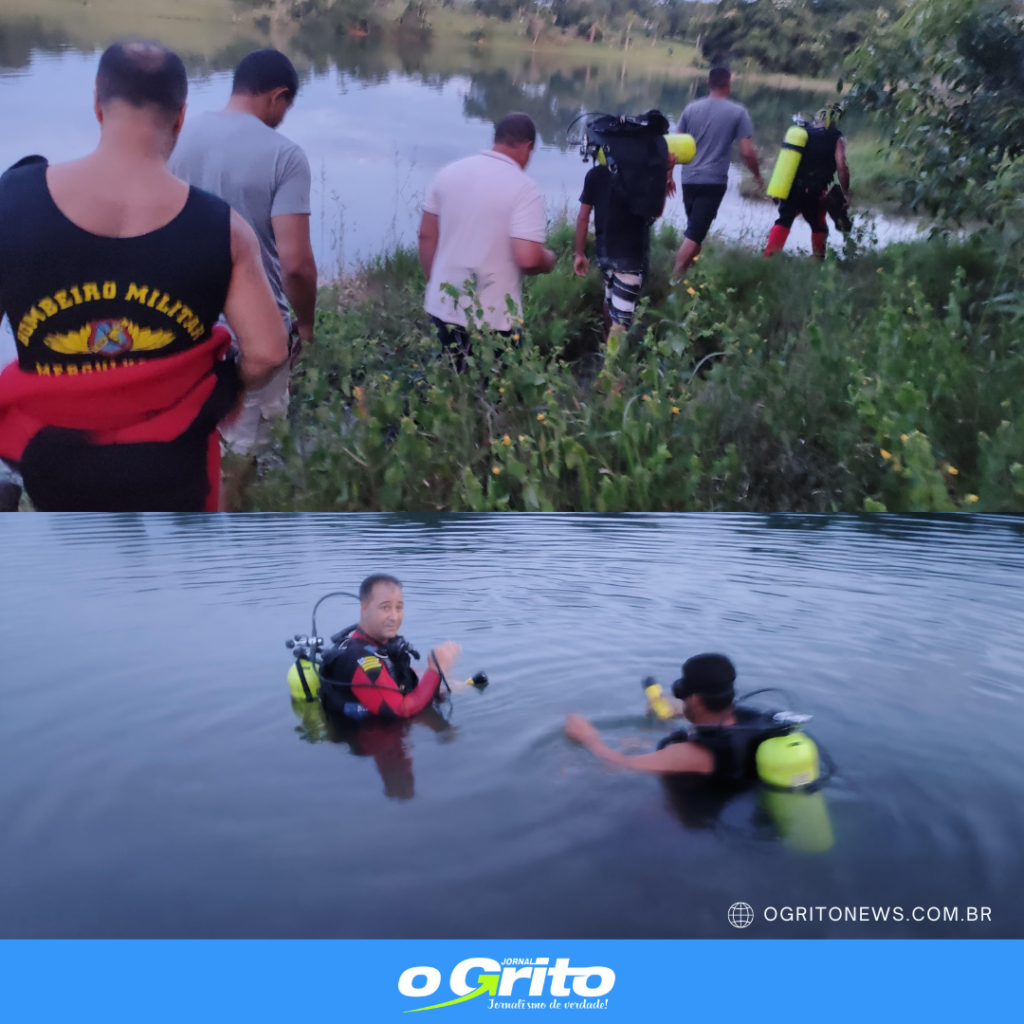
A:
{"x": 155, "y": 780}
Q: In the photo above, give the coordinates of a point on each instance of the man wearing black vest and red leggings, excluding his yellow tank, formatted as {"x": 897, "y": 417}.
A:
{"x": 824, "y": 158}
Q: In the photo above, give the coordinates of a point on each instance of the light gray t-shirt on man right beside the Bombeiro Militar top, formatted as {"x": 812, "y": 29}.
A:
{"x": 259, "y": 173}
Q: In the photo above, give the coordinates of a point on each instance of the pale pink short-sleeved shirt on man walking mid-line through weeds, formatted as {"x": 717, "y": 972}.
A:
{"x": 482, "y": 203}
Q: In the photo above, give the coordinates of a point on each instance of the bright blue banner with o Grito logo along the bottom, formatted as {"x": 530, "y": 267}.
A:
{"x": 192, "y": 983}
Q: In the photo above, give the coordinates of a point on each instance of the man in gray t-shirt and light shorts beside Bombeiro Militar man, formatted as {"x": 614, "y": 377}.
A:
{"x": 237, "y": 154}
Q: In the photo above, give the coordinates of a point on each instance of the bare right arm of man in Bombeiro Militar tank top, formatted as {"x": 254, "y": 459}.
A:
{"x": 252, "y": 312}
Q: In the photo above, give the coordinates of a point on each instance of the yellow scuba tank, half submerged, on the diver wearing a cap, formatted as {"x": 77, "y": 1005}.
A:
{"x": 790, "y": 764}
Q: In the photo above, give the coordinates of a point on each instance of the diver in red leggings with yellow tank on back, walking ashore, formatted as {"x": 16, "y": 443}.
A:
{"x": 815, "y": 154}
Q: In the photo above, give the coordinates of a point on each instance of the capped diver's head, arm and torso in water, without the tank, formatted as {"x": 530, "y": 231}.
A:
{"x": 723, "y": 739}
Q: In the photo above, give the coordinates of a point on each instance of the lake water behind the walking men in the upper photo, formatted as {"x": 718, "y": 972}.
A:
{"x": 379, "y": 118}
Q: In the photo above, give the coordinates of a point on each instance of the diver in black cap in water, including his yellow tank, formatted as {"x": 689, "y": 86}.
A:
{"x": 733, "y": 743}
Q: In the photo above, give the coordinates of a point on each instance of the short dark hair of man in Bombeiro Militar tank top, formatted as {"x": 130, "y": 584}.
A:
{"x": 143, "y": 73}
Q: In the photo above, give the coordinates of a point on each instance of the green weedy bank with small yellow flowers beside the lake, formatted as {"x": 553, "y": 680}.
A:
{"x": 889, "y": 380}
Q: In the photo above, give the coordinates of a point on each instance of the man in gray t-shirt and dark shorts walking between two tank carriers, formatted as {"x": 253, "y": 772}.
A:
{"x": 715, "y": 122}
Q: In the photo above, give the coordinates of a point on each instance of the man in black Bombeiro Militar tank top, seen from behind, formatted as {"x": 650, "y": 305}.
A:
{"x": 113, "y": 275}
